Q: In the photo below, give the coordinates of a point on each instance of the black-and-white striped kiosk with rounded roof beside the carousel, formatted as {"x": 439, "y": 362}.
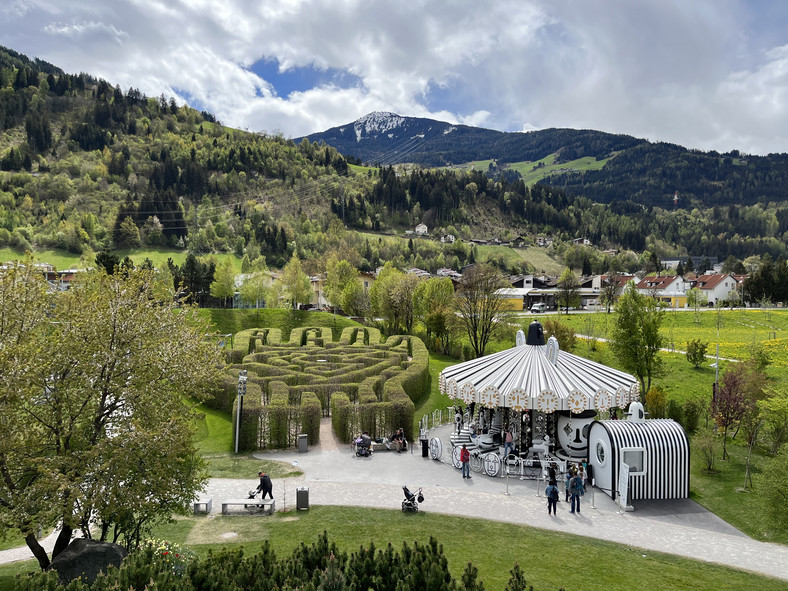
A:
{"x": 656, "y": 451}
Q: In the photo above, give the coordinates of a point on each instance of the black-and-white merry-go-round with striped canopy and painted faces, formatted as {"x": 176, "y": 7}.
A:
{"x": 545, "y": 397}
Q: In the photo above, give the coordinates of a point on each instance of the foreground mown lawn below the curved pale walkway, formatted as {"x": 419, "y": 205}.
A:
{"x": 549, "y": 559}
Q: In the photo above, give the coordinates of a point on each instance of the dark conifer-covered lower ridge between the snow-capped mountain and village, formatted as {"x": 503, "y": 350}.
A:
{"x": 446, "y": 198}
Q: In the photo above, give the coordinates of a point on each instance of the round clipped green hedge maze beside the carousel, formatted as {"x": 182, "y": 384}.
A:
{"x": 360, "y": 381}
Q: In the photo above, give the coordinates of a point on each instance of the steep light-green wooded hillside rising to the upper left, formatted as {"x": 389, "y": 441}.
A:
{"x": 88, "y": 166}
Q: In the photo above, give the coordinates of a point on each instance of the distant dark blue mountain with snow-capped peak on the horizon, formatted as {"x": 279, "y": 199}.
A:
{"x": 629, "y": 169}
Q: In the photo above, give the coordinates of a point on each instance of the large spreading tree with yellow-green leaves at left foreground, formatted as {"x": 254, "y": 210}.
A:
{"x": 96, "y": 433}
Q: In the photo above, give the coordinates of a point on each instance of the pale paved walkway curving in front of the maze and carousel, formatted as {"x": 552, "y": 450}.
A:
{"x": 335, "y": 476}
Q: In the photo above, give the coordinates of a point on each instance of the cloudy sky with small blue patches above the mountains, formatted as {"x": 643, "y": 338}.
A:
{"x": 705, "y": 74}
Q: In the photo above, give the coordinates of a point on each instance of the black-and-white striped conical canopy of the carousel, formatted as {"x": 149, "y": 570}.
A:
{"x": 533, "y": 375}
